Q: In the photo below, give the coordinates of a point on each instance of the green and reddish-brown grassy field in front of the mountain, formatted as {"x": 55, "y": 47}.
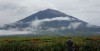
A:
{"x": 49, "y": 43}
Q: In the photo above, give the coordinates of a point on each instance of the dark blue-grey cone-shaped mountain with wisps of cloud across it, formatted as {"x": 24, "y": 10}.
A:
{"x": 52, "y": 21}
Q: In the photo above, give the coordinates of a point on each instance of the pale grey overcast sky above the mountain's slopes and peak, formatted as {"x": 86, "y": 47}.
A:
{"x": 14, "y": 10}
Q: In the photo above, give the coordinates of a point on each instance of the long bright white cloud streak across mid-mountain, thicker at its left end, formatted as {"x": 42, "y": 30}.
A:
{"x": 37, "y": 22}
